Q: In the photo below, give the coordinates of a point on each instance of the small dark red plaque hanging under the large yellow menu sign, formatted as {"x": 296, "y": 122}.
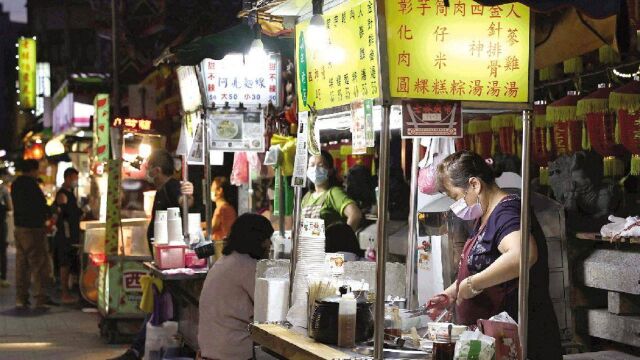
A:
{"x": 431, "y": 118}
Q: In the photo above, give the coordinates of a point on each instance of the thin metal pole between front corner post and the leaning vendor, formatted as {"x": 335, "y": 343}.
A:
{"x": 413, "y": 233}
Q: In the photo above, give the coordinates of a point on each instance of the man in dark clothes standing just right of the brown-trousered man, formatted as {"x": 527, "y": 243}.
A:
{"x": 68, "y": 216}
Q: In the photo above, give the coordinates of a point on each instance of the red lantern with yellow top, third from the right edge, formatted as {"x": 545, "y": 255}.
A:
{"x": 567, "y": 129}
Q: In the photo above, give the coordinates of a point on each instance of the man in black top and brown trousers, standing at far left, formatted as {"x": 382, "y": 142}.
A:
{"x": 30, "y": 214}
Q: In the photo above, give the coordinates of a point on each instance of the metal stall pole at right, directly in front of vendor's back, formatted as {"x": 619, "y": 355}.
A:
{"x": 523, "y": 281}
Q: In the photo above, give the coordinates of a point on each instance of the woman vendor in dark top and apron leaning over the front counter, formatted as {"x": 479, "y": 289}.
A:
{"x": 487, "y": 281}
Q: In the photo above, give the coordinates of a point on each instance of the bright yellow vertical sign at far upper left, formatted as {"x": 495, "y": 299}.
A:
{"x": 27, "y": 72}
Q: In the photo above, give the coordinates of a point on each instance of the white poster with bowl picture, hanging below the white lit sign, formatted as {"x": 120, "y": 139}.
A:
{"x": 236, "y": 131}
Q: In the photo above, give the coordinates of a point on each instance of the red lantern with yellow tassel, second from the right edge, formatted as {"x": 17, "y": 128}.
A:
{"x": 600, "y": 127}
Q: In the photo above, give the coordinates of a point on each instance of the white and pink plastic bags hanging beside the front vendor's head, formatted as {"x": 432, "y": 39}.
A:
{"x": 437, "y": 150}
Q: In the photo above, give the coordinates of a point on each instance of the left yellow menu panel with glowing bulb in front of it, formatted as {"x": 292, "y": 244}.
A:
{"x": 345, "y": 69}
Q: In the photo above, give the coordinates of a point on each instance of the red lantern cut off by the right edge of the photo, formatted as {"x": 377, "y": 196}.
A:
{"x": 625, "y": 103}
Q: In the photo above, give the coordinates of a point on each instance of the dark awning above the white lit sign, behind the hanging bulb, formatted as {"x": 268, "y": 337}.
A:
{"x": 236, "y": 39}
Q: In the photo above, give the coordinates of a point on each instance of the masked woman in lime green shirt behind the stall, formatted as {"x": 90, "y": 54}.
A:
{"x": 328, "y": 201}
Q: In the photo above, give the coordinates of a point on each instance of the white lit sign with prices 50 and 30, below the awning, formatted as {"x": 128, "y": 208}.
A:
{"x": 232, "y": 81}
